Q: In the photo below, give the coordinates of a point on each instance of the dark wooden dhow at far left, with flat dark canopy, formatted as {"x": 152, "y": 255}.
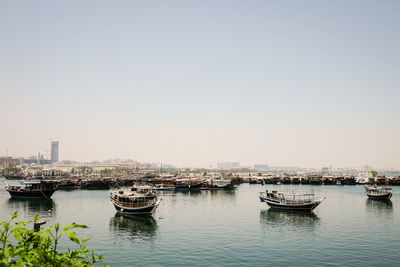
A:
{"x": 32, "y": 189}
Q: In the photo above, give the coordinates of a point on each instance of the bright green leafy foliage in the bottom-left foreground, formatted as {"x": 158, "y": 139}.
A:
{"x": 23, "y": 246}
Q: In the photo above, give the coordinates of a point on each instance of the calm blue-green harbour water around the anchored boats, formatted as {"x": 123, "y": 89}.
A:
{"x": 230, "y": 228}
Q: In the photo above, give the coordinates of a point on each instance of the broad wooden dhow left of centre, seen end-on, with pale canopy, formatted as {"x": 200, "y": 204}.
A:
{"x": 141, "y": 200}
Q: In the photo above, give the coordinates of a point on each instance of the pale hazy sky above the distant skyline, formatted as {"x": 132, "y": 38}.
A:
{"x": 193, "y": 83}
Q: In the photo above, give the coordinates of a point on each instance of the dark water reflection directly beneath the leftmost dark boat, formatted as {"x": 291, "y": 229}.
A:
{"x": 31, "y": 206}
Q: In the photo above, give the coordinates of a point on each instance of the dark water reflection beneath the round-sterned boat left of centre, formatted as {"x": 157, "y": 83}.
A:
{"x": 133, "y": 227}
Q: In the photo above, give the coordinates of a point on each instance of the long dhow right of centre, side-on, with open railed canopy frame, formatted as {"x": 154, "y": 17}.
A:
{"x": 290, "y": 201}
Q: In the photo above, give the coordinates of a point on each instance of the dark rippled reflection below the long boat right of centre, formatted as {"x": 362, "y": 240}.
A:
{"x": 306, "y": 220}
